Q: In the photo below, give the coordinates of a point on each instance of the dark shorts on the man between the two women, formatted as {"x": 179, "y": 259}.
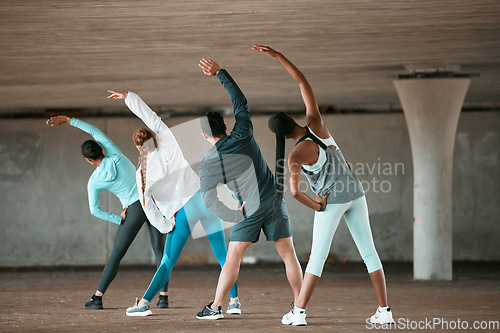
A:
{"x": 271, "y": 218}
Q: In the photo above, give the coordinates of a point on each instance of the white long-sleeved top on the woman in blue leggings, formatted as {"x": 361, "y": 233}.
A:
{"x": 170, "y": 180}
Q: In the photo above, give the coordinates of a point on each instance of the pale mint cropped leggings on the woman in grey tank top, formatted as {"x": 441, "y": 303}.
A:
{"x": 325, "y": 225}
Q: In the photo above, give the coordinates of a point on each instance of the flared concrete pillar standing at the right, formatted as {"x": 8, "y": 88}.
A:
{"x": 432, "y": 108}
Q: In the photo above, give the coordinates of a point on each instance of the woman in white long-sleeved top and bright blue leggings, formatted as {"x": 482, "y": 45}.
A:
{"x": 170, "y": 195}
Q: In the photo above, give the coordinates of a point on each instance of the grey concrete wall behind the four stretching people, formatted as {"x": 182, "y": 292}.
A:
{"x": 45, "y": 218}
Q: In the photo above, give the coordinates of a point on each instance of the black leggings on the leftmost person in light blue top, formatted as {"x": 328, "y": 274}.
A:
{"x": 124, "y": 236}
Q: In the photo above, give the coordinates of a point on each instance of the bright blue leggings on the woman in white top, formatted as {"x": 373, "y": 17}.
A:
{"x": 185, "y": 220}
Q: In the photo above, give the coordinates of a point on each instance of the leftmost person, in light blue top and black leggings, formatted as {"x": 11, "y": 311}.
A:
{"x": 114, "y": 173}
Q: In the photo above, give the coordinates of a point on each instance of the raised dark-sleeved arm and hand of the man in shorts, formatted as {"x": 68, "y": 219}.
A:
{"x": 240, "y": 105}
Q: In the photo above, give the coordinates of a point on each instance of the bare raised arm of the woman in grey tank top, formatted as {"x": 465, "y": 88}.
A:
{"x": 312, "y": 111}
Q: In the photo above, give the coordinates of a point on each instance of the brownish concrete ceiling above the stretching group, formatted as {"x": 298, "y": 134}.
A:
{"x": 66, "y": 53}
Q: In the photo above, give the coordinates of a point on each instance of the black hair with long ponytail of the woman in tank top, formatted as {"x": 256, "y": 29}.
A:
{"x": 281, "y": 124}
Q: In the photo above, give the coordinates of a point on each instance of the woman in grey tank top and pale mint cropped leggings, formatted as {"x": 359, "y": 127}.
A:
{"x": 338, "y": 193}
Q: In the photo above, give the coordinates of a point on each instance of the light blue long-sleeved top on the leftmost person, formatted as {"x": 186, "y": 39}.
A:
{"x": 115, "y": 174}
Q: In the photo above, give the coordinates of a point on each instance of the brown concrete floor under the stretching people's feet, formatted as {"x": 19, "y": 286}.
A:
{"x": 52, "y": 300}
